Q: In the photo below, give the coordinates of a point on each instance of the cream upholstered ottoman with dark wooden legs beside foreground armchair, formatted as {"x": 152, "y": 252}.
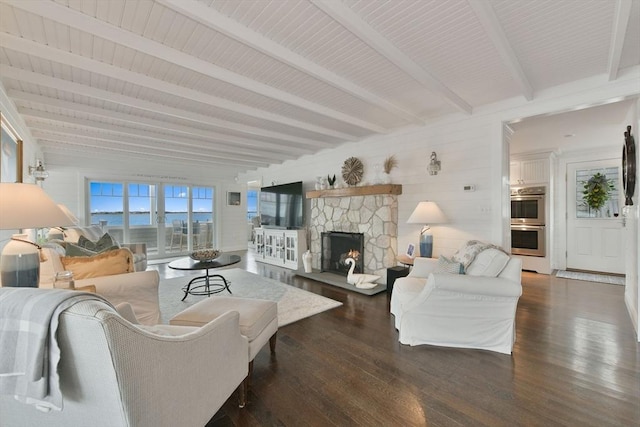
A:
{"x": 258, "y": 323}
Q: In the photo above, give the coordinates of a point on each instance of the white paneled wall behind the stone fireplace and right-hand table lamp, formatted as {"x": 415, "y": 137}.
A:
{"x": 463, "y": 147}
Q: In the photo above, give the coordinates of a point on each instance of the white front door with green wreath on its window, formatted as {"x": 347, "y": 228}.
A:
{"x": 594, "y": 237}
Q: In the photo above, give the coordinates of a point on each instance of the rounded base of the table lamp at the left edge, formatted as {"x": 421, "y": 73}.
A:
{"x": 20, "y": 264}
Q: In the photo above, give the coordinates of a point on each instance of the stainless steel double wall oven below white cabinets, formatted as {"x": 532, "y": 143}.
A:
{"x": 528, "y": 221}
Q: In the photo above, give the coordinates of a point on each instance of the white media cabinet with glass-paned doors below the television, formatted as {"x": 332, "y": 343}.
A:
{"x": 280, "y": 247}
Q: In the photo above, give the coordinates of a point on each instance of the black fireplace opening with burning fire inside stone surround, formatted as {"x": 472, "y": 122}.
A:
{"x": 337, "y": 246}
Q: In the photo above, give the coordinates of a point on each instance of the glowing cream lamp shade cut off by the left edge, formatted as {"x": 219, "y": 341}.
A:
{"x": 28, "y": 206}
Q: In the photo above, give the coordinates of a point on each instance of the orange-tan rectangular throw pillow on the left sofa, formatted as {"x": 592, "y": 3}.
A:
{"x": 117, "y": 261}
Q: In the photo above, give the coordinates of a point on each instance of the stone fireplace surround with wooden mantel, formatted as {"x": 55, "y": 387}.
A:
{"x": 372, "y": 211}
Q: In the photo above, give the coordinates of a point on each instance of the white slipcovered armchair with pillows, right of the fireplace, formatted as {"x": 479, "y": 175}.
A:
{"x": 475, "y": 309}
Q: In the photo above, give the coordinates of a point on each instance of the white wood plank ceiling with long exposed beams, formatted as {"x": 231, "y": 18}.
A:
{"x": 235, "y": 85}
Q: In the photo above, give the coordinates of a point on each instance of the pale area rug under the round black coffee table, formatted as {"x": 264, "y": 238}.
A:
{"x": 293, "y": 303}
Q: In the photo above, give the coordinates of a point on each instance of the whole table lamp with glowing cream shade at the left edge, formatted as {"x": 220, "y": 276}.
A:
{"x": 25, "y": 206}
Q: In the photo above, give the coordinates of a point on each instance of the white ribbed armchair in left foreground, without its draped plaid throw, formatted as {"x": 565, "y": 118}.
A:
{"x": 115, "y": 373}
